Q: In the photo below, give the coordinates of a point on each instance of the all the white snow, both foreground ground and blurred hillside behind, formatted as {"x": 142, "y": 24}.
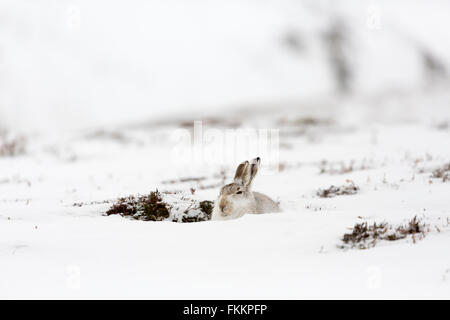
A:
{"x": 102, "y": 101}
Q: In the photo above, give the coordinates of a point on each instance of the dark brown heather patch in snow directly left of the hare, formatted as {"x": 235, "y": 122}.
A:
{"x": 158, "y": 206}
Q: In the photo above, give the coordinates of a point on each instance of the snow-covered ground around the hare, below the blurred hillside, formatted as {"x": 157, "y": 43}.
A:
{"x": 53, "y": 249}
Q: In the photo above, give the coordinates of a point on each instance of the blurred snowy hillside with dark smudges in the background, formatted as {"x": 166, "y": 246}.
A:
{"x": 67, "y": 65}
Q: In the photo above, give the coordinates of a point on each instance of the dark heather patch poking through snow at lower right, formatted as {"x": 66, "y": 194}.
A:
{"x": 364, "y": 236}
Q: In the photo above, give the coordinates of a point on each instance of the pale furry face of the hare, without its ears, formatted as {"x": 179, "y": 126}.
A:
{"x": 234, "y": 199}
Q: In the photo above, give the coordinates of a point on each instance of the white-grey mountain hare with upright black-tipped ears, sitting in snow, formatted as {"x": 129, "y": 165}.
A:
{"x": 236, "y": 199}
